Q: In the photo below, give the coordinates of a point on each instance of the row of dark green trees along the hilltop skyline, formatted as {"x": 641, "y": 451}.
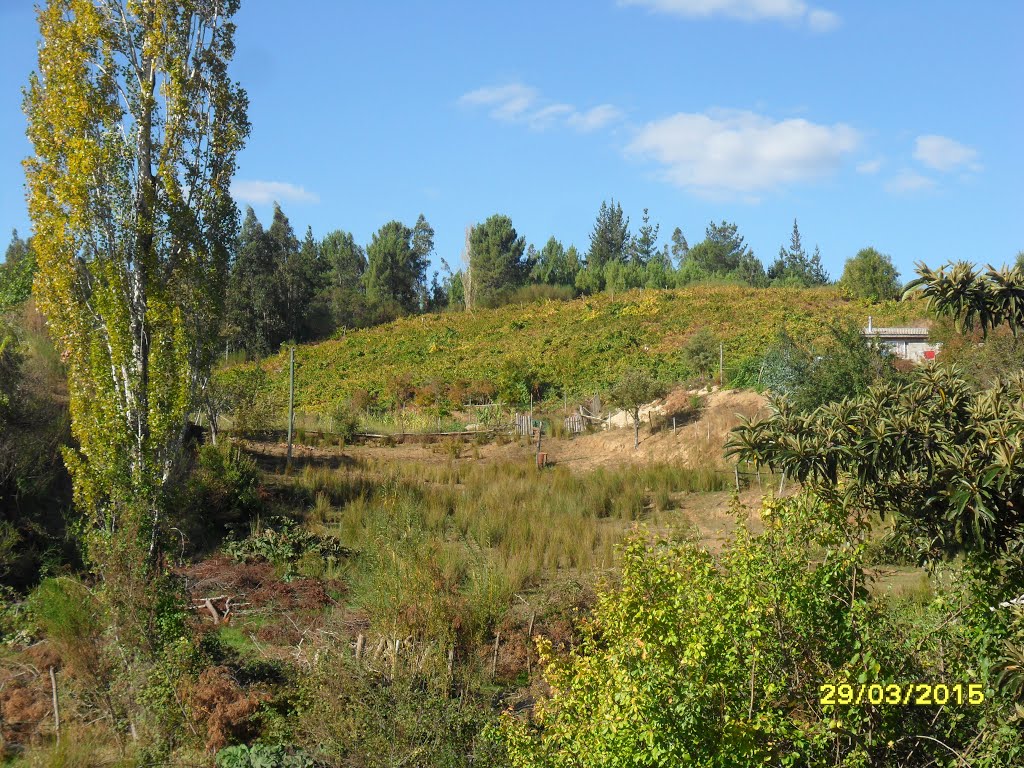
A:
{"x": 283, "y": 289}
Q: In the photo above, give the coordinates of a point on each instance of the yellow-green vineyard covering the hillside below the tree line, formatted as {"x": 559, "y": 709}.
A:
{"x": 576, "y": 347}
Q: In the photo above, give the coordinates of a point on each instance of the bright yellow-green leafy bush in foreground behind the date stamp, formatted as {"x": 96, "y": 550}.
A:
{"x": 698, "y": 661}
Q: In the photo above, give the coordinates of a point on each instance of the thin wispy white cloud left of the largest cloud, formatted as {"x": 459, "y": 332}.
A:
{"x": 517, "y": 103}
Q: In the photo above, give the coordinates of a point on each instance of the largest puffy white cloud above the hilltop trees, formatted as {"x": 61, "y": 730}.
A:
{"x": 727, "y": 152}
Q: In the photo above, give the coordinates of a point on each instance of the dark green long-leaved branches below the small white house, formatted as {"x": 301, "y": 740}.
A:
{"x": 944, "y": 458}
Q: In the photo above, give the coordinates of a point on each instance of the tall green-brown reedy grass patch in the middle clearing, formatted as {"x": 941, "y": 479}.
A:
{"x": 444, "y": 547}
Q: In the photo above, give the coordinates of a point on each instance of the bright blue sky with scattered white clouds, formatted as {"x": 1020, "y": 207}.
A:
{"x": 893, "y": 125}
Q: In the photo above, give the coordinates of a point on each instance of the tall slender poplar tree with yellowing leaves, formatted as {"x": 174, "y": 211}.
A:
{"x": 136, "y": 127}
